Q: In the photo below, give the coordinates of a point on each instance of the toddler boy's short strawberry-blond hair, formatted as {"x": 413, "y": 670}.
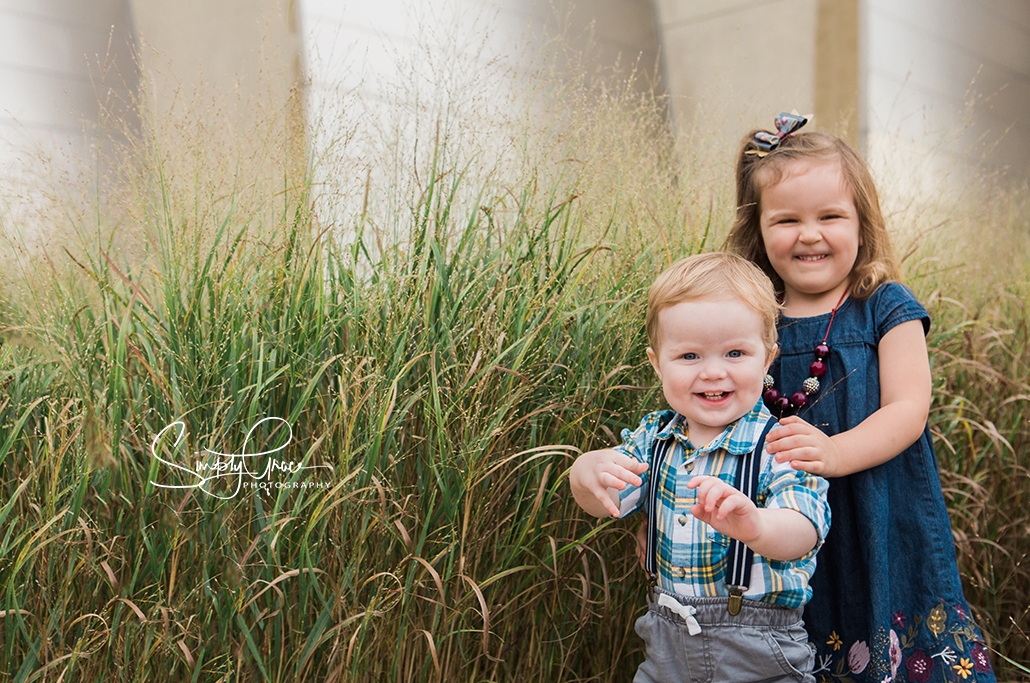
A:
{"x": 717, "y": 277}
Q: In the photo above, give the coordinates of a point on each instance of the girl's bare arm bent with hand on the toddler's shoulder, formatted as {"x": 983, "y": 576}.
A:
{"x": 905, "y": 405}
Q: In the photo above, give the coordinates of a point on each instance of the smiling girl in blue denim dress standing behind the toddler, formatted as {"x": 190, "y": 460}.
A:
{"x": 852, "y": 387}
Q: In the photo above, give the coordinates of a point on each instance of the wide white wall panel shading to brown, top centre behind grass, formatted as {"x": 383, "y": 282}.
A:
{"x": 381, "y": 71}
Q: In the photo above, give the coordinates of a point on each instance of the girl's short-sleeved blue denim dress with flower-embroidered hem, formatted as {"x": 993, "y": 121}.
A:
{"x": 887, "y": 599}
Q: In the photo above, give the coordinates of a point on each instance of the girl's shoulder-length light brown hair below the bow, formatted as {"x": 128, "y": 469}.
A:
{"x": 875, "y": 264}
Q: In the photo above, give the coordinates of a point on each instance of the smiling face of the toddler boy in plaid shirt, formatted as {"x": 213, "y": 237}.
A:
{"x": 711, "y": 362}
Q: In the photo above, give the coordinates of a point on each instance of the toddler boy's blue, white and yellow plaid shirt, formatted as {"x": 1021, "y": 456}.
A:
{"x": 692, "y": 555}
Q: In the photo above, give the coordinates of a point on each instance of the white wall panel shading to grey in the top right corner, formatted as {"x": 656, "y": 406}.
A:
{"x": 948, "y": 81}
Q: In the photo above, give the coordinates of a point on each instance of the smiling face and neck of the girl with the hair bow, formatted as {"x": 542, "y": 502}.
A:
{"x": 811, "y": 231}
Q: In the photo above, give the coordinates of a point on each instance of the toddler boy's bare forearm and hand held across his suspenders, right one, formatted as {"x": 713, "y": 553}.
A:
{"x": 780, "y": 534}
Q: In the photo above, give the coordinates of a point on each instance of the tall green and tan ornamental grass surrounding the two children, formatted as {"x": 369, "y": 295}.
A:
{"x": 447, "y": 346}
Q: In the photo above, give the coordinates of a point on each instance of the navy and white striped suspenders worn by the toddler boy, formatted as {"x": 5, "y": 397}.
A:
{"x": 740, "y": 558}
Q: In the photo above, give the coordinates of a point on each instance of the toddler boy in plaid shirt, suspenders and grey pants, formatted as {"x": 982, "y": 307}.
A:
{"x": 716, "y": 613}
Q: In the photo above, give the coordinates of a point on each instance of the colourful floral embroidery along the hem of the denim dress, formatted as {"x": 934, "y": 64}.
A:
{"x": 956, "y": 652}
